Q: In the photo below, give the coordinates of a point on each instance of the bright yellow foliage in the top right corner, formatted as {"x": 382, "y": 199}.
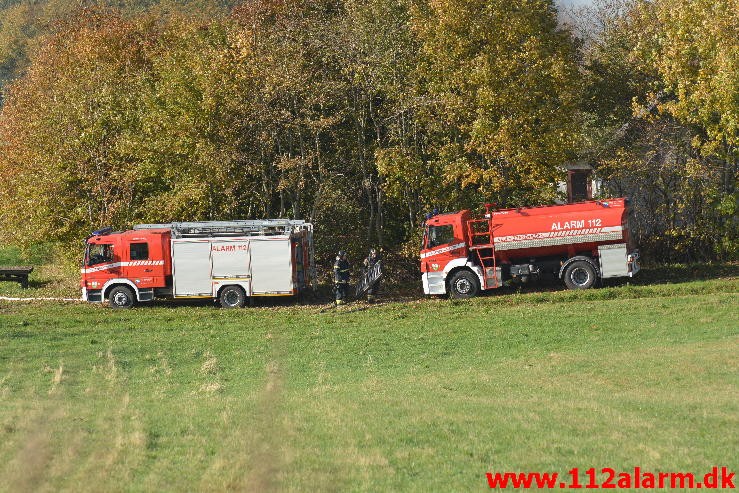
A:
{"x": 691, "y": 44}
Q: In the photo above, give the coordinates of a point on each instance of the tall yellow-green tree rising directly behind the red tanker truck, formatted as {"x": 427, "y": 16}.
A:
{"x": 506, "y": 80}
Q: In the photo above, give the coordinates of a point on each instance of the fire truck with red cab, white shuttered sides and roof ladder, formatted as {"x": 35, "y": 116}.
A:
{"x": 228, "y": 261}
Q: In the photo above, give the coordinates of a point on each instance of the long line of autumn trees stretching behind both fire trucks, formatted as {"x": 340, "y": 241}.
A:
{"x": 362, "y": 116}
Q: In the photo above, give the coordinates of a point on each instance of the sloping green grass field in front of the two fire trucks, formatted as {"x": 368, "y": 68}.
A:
{"x": 414, "y": 396}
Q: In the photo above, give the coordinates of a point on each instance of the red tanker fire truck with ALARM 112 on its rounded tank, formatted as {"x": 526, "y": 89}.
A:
{"x": 577, "y": 243}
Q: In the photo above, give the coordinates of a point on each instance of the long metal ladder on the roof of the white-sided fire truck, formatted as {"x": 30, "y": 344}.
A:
{"x": 204, "y": 229}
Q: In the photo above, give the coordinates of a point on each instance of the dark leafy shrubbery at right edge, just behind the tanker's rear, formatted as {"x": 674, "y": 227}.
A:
{"x": 681, "y": 214}
